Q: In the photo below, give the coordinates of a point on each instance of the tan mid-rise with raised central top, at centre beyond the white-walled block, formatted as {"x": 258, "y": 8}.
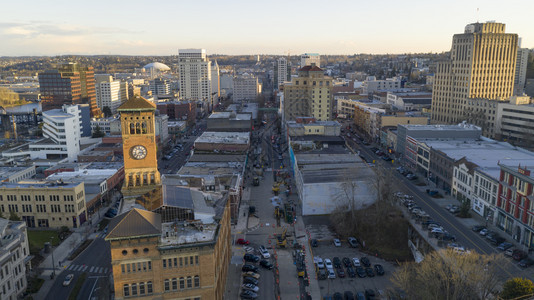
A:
{"x": 308, "y": 95}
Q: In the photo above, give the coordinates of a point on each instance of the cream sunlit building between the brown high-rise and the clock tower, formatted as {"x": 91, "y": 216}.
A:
{"x": 108, "y": 92}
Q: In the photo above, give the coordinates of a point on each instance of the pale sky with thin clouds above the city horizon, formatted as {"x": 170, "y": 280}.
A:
{"x": 234, "y": 27}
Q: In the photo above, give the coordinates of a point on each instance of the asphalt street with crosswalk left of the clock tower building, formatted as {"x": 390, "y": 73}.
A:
{"x": 96, "y": 262}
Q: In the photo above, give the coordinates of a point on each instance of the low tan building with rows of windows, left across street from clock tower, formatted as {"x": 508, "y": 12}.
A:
{"x": 45, "y": 204}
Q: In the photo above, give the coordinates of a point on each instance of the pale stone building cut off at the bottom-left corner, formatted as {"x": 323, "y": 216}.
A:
{"x": 14, "y": 259}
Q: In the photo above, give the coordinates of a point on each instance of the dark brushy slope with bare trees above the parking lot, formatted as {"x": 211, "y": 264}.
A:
{"x": 384, "y": 232}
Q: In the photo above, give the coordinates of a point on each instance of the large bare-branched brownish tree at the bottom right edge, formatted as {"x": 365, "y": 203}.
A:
{"x": 447, "y": 274}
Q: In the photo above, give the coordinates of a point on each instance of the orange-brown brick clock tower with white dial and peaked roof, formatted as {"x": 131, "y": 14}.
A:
{"x": 141, "y": 173}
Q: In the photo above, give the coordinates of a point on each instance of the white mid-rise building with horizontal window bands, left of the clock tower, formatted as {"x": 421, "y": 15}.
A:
{"x": 62, "y": 132}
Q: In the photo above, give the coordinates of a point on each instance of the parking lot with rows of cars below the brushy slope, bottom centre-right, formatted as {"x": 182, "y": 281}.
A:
{"x": 379, "y": 284}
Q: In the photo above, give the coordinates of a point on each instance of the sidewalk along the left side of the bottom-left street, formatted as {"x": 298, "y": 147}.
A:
{"x": 61, "y": 253}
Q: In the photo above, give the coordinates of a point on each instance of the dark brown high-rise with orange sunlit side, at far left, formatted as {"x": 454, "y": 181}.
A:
{"x": 69, "y": 84}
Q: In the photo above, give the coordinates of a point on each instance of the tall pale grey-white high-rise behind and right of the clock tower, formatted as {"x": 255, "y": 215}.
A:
{"x": 195, "y": 74}
